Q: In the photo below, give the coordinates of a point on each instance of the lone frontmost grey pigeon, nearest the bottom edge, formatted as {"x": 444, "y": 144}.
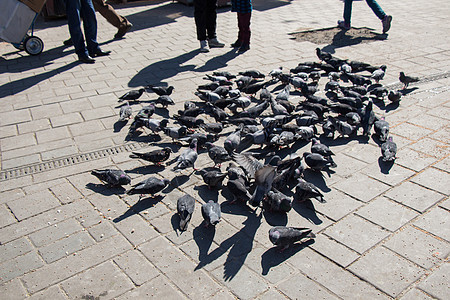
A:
{"x": 283, "y": 237}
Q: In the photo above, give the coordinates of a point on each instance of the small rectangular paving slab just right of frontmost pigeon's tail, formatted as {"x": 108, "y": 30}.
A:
{"x": 334, "y": 251}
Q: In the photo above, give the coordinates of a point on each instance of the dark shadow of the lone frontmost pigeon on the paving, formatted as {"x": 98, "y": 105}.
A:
{"x": 273, "y": 257}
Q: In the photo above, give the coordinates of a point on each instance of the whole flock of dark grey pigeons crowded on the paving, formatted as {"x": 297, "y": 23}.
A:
{"x": 272, "y": 121}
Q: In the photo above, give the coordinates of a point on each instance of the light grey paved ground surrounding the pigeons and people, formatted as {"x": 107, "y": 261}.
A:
{"x": 64, "y": 235}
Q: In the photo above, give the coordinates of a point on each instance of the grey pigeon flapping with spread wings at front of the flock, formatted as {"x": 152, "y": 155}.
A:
{"x": 263, "y": 180}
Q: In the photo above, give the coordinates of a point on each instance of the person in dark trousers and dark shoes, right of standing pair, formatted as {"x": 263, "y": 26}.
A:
{"x": 243, "y": 8}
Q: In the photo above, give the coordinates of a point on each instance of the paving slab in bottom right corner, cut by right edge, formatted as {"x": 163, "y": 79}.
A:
{"x": 437, "y": 283}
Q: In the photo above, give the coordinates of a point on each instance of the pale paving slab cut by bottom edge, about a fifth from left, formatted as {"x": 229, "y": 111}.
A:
{"x": 104, "y": 281}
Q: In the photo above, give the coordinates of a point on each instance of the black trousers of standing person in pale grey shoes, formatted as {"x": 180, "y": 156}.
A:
{"x": 205, "y": 18}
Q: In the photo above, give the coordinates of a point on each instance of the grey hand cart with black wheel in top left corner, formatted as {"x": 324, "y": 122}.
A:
{"x": 17, "y": 24}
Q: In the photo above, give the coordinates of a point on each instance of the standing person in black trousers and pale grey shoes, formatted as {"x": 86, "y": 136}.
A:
{"x": 205, "y": 16}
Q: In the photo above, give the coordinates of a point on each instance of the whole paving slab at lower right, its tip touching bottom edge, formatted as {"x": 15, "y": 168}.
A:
{"x": 393, "y": 280}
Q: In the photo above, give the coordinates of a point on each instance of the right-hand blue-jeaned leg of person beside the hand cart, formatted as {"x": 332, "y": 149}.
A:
{"x": 90, "y": 26}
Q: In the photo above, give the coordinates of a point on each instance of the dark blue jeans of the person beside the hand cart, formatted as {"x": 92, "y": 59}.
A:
{"x": 77, "y": 9}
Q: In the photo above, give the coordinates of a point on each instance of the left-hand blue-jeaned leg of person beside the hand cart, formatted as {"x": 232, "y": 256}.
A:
{"x": 74, "y": 22}
